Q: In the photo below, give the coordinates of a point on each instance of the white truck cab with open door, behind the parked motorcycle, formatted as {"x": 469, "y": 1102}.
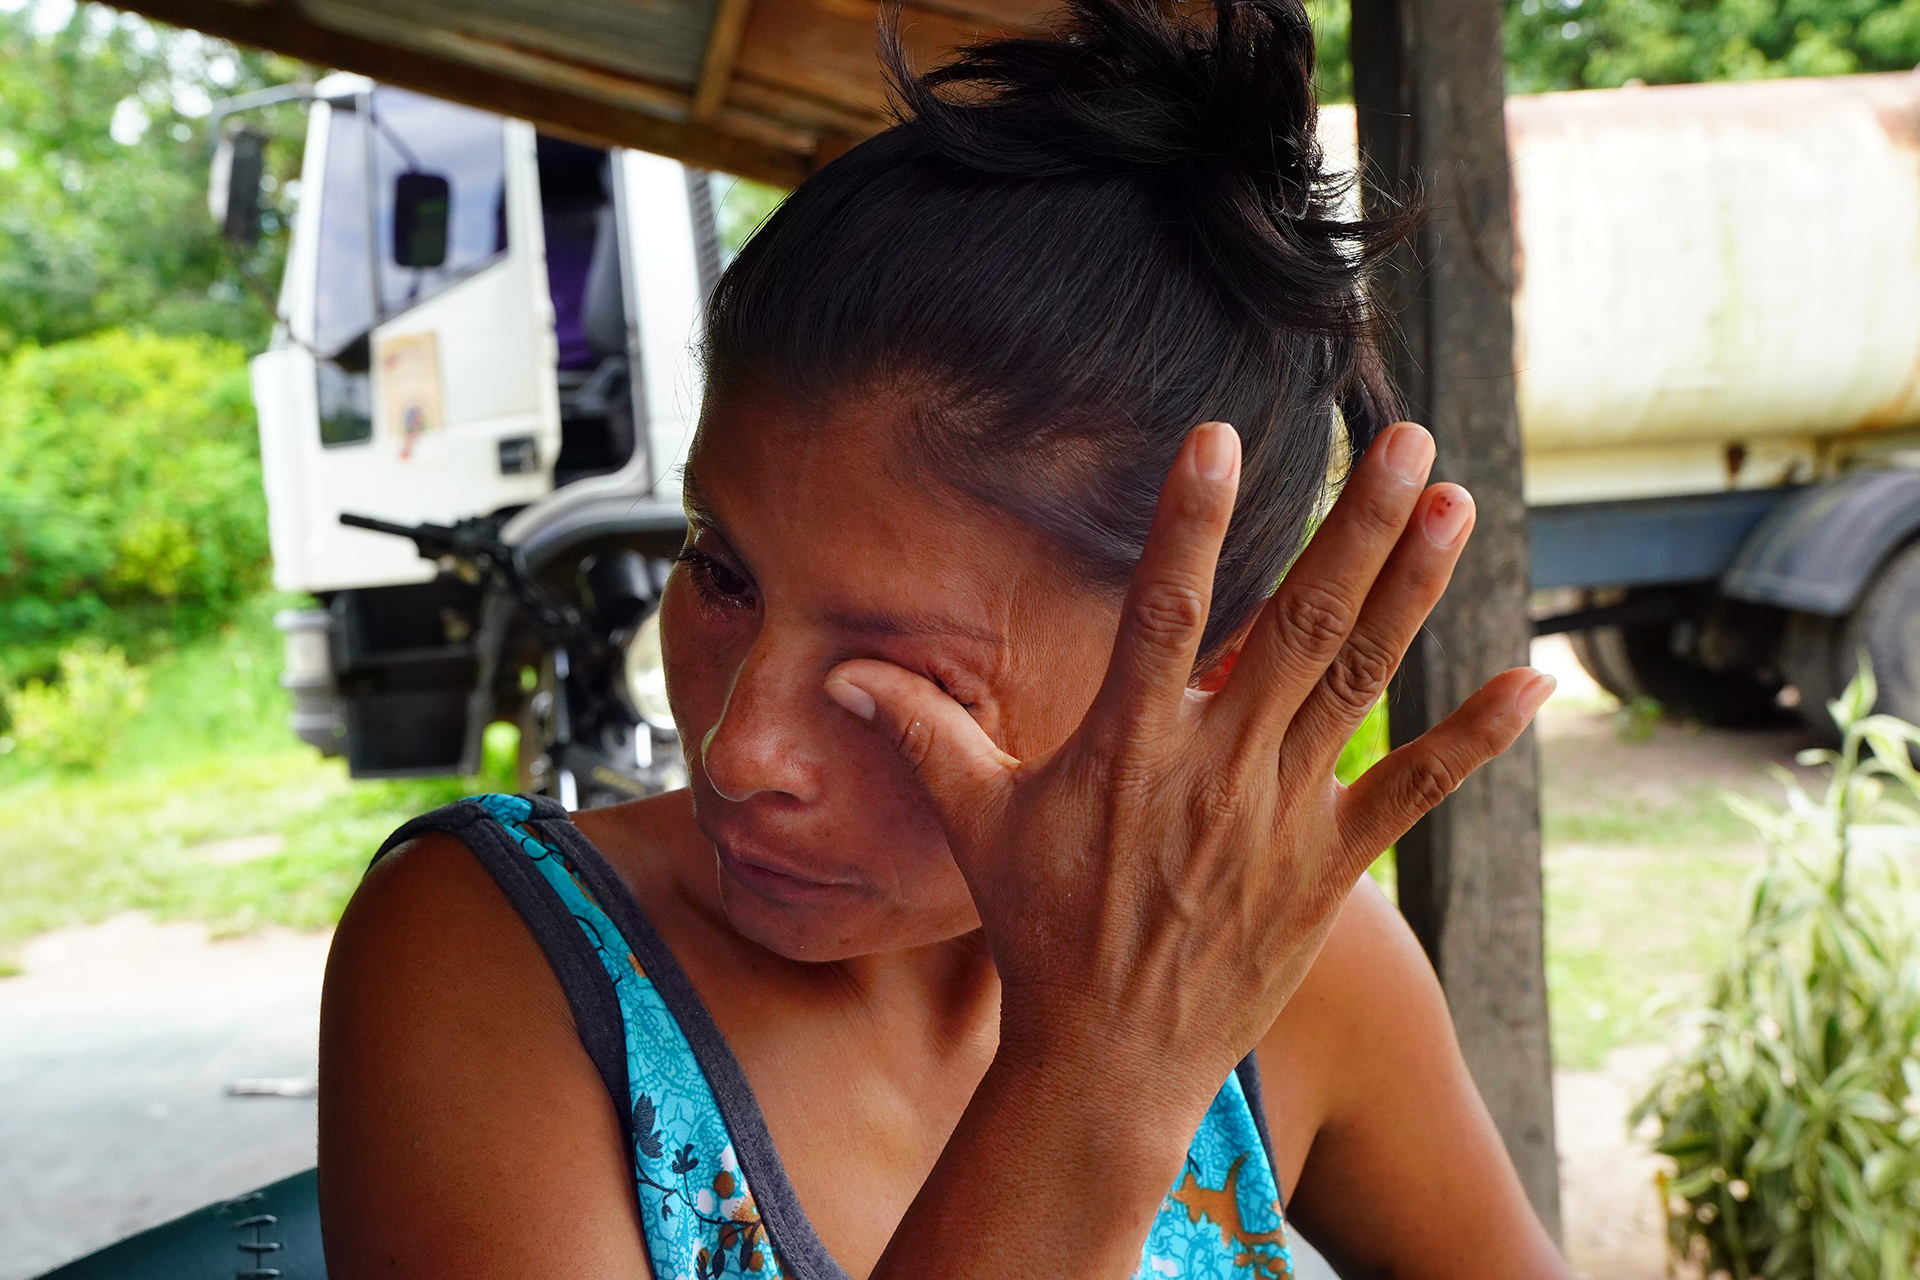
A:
{"x": 477, "y": 321}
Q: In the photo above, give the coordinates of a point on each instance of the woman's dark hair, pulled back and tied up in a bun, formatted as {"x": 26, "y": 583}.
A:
{"x": 1070, "y": 252}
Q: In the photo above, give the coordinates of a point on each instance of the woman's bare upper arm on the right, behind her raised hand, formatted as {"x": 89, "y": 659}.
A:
{"x": 1406, "y": 1175}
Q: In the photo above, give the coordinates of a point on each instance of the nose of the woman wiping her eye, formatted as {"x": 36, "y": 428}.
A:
{"x": 761, "y": 740}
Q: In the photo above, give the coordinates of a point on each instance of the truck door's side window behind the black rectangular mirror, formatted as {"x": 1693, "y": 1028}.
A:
{"x": 418, "y": 135}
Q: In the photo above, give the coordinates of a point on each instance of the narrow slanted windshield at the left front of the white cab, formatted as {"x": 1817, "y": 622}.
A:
{"x": 343, "y": 306}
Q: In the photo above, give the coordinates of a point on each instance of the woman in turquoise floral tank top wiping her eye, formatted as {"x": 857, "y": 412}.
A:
{"x": 1013, "y": 922}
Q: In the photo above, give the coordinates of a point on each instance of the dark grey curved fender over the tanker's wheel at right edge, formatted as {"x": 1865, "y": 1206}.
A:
{"x": 1817, "y": 550}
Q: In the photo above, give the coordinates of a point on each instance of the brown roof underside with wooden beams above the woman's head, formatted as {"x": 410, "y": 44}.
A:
{"x": 767, "y": 89}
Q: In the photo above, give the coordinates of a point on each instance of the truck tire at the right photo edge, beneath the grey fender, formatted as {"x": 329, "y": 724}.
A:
{"x": 1821, "y": 655}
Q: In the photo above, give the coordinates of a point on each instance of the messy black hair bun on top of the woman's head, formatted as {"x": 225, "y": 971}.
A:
{"x": 1209, "y": 105}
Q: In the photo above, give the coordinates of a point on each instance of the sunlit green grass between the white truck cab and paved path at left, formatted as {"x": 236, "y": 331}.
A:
{"x": 208, "y": 759}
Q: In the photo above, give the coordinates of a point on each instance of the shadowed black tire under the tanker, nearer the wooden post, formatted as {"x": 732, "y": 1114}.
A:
{"x": 1650, "y": 663}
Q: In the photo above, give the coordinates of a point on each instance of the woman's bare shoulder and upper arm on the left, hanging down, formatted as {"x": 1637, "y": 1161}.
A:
{"x": 464, "y": 1129}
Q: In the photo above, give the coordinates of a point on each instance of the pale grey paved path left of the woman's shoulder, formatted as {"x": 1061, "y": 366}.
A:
{"x": 112, "y": 1102}
